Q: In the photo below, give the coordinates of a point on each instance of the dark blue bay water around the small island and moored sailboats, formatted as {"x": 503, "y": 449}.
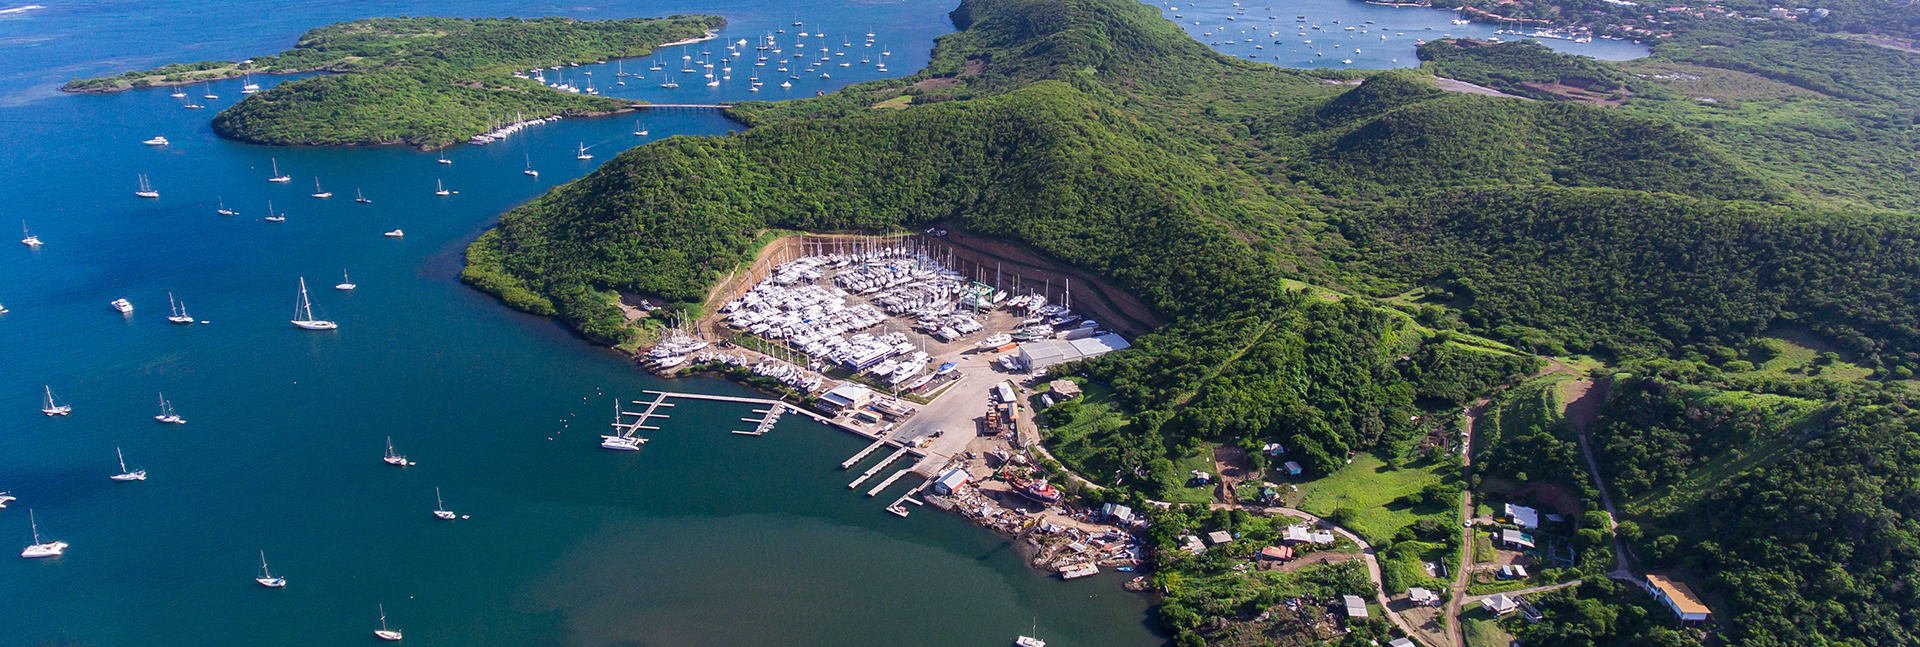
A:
{"x": 704, "y": 539}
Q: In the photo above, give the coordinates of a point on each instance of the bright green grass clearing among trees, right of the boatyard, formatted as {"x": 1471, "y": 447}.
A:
{"x": 1370, "y": 489}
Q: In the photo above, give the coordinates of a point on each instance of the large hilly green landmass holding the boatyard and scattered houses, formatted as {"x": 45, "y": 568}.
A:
{"x": 1593, "y": 354}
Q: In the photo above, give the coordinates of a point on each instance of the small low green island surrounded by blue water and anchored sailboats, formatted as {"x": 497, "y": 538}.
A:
{"x": 421, "y": 82}
